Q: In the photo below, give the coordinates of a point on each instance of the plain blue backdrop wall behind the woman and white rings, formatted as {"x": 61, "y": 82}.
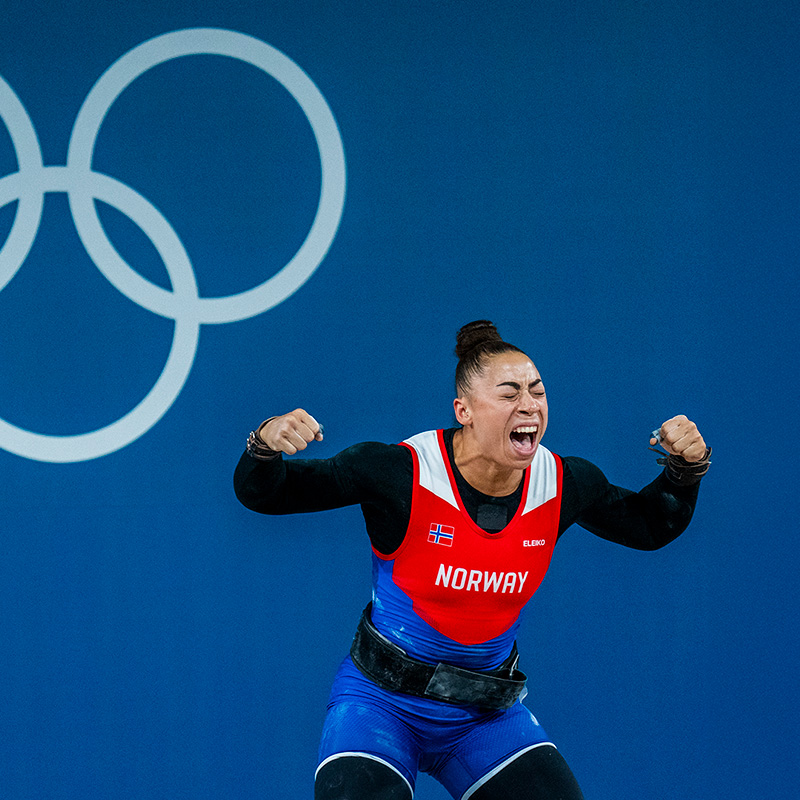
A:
{"x": 615, "y": 184}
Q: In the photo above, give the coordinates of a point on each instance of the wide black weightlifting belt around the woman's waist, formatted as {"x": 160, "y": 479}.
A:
{"x": 392, "y": 668}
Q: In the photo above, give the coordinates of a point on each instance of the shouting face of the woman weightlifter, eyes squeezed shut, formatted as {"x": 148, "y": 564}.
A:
{"x": 505, "y": 410}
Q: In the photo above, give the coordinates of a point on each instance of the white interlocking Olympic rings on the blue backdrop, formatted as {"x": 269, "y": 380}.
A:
{"x": 83, "y": 186}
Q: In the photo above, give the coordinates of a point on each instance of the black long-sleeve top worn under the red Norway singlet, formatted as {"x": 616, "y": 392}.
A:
{"x": 379, "y": 478}
